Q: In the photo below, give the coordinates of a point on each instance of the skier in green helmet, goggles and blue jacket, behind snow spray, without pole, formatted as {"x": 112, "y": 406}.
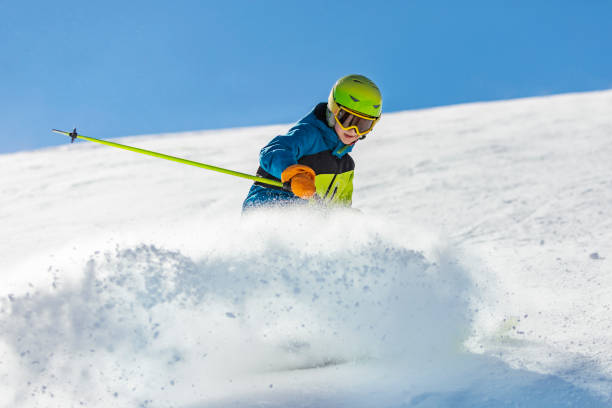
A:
{"x": 312, "y": 159}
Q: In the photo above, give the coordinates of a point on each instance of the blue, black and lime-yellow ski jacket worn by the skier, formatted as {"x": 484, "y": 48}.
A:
{"x": 313, "y": 143}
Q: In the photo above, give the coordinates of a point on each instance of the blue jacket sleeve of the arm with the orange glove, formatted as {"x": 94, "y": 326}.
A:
{"x": 285, "y": 150}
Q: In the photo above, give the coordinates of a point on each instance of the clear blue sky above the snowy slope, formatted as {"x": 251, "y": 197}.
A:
{"x": 139, "y": 67}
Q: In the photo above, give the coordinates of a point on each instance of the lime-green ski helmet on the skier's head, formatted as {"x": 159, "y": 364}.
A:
{"x": 356, "y": 93}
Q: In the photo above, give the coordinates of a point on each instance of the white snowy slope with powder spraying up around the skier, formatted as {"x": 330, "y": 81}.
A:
{"x": 478, "y": 273}
